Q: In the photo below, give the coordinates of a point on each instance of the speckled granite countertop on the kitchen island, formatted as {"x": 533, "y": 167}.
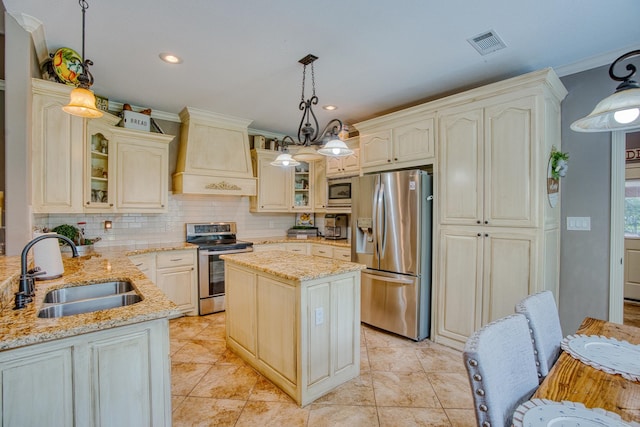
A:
{"x": 290, "y": 266}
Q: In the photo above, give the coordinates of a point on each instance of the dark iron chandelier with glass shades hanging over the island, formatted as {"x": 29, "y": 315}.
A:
{"x": 308, "y": 130}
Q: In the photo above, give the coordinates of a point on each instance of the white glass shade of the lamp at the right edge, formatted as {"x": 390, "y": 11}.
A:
{"x": 620, "y": 111}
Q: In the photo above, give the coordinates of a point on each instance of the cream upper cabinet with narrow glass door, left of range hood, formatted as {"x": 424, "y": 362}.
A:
{"x": 127, "y": 170}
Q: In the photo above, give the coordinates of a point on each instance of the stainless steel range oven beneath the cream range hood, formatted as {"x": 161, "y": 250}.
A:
{"x": 213, "y": 239}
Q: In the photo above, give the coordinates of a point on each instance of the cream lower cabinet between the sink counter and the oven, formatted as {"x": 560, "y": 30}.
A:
{"x": 175, "y": 273}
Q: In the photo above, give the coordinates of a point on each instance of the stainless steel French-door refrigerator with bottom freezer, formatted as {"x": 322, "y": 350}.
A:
{"x": 391, "y": 234}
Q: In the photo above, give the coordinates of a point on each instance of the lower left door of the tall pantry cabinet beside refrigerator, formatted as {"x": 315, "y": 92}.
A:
{"x": 460, "y": 283}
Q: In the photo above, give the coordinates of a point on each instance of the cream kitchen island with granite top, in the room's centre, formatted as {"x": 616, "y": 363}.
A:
{"x": 295, "y": 319}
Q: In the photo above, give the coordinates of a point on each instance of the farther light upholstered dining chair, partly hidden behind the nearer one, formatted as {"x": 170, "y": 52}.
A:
{"x": 544, "y": 325}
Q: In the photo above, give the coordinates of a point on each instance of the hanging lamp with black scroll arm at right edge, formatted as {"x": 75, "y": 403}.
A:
{"x": 620, "y": 111}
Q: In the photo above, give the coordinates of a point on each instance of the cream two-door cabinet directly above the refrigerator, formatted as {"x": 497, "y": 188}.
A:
{"x": 396, "y": 141}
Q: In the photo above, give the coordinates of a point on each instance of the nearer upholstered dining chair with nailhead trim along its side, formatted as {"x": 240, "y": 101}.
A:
{"x": 502, "y": 369}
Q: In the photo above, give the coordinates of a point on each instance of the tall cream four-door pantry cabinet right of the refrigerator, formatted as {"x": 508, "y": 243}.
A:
{"x": 498, "y": 237}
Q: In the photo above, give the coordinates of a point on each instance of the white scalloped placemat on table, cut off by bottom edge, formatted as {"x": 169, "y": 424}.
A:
{"x": 543, "y": 412}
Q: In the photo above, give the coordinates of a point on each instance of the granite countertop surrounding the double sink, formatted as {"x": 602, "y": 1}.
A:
{"x": 22, "y": 327}
